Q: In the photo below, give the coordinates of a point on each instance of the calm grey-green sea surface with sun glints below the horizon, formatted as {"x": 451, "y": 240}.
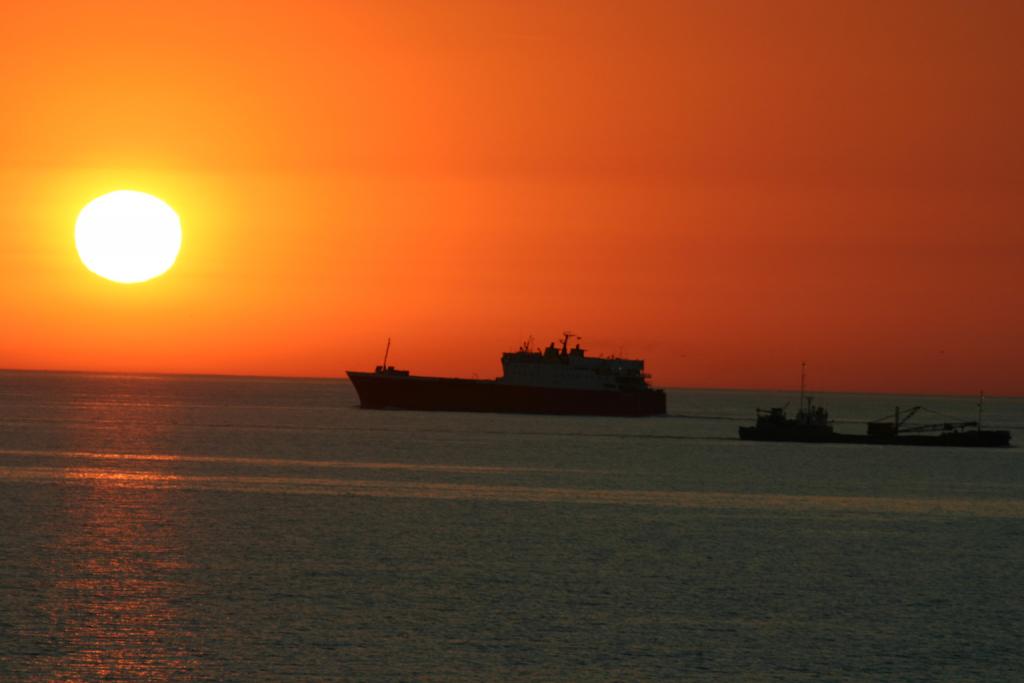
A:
{"x": 188, "y": 529}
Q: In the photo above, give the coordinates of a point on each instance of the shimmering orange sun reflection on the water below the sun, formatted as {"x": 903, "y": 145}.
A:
{"x": 122, "y": 570}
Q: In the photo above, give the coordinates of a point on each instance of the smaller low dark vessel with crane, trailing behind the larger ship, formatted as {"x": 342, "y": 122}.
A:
{"x": 813, "y": 424}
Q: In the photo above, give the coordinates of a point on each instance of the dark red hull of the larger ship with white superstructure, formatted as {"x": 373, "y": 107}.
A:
{"x": 379, "y": 391}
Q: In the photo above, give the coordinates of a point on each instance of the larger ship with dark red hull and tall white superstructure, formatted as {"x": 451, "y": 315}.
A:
{"x": 554, "y": 381}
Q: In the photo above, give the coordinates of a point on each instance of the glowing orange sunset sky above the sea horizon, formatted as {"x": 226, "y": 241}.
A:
{"x": 723, "y": 189}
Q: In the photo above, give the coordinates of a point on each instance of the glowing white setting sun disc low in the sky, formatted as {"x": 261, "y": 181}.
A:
{"x": 129, "y": 237}
